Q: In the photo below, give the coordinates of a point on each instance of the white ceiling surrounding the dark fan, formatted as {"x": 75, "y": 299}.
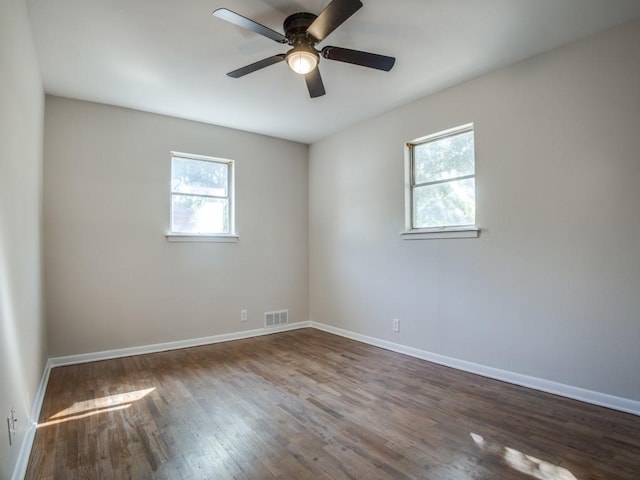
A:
{"x": 171, "y": 56}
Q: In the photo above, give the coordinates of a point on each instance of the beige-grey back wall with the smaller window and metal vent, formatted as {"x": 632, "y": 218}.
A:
{"x": 113, "y": 280}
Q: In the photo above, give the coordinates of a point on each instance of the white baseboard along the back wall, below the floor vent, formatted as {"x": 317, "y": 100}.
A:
{"x": 162, "y": 347}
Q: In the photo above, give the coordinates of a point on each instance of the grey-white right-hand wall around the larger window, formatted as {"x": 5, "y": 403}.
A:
{"x": 551, "y": 288}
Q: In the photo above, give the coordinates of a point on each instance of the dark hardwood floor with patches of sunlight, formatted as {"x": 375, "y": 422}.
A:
{"x": 306, "y": 404}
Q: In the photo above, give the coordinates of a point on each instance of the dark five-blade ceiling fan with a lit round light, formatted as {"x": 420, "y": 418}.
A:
{"x": 303, "y": 31}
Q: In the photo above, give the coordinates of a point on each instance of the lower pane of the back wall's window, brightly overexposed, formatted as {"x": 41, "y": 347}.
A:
{"x": 191, "y": 214}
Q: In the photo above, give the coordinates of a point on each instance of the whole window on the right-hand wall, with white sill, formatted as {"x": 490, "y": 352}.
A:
{"x": 440, "y": 180}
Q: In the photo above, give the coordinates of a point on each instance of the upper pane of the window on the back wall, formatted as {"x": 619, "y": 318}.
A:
{"x": 199, "y": 177}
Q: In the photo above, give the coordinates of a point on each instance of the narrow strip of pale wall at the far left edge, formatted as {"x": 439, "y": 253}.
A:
{"x": 23, "y": 351}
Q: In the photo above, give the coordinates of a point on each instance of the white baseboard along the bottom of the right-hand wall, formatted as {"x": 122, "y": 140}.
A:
{"x": 569, "y": 391}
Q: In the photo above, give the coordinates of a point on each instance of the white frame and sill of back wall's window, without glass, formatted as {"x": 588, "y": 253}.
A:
{"x": 230, "y": 237}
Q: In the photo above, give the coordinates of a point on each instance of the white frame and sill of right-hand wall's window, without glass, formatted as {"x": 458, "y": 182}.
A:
{"x": 458, "y": 231}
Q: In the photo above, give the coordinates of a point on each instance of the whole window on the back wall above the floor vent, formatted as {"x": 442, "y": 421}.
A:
{"x": 201, "y": 196}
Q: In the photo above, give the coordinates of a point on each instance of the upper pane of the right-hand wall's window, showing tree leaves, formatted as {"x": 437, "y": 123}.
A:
{"x": 447, "y": 157}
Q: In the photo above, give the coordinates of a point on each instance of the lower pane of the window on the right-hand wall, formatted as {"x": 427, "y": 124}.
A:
{"x": 445, "y": 204}
